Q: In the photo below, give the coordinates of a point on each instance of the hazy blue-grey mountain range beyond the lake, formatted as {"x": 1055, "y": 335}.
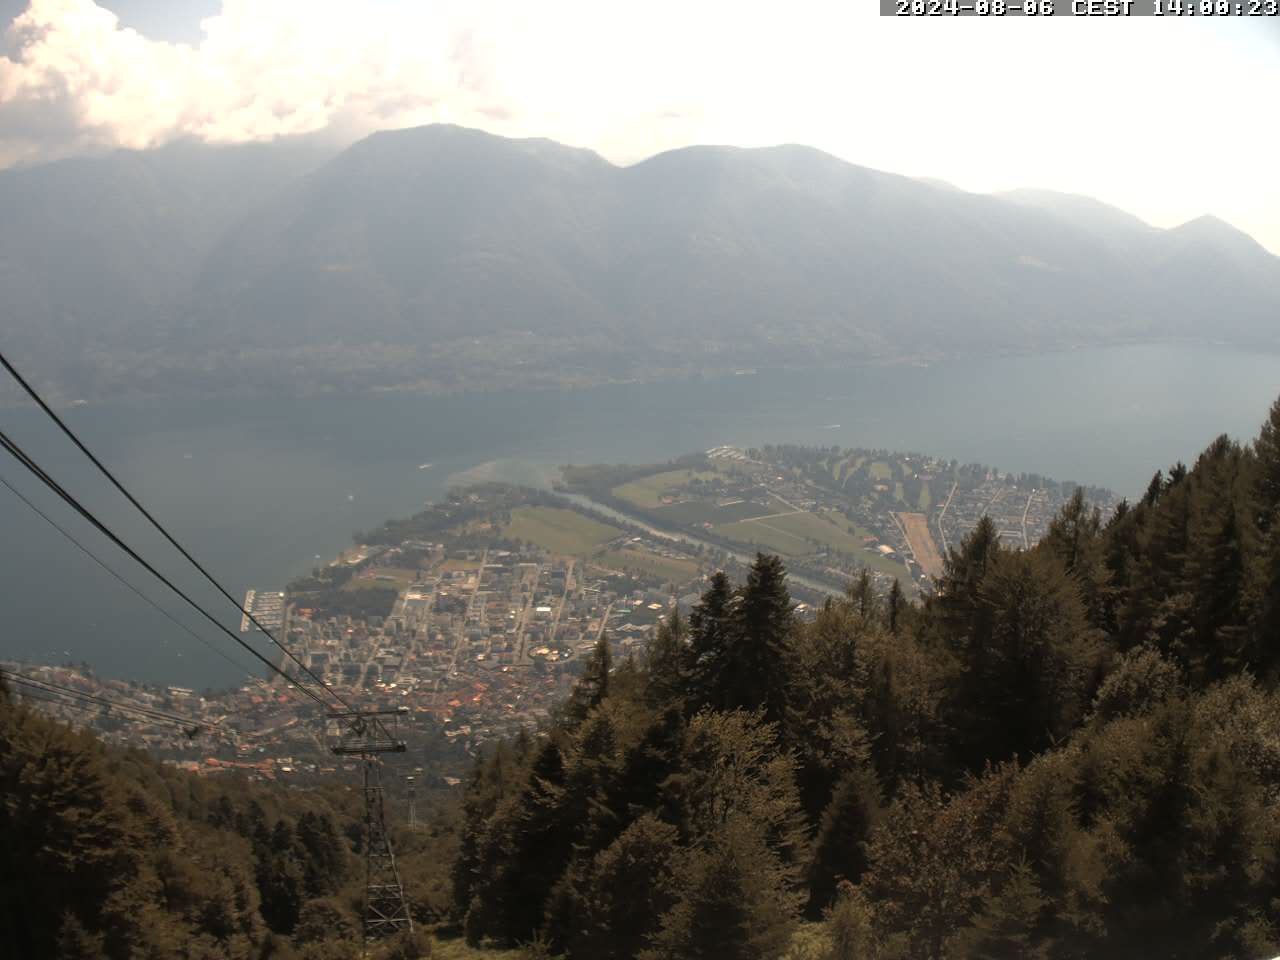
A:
{"x": 444, "y": 258}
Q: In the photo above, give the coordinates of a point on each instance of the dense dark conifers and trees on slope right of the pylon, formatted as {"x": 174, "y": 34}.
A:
{"x": 1071, "y": 752}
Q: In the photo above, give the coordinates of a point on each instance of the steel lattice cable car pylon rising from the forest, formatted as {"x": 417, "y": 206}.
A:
{"x": 365, "y": 735}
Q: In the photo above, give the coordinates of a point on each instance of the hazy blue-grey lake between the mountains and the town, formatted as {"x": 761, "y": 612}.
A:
{"x": 264, "y": 491}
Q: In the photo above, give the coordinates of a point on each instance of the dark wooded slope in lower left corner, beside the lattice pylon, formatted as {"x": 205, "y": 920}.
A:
{"x": 108, "y": 854}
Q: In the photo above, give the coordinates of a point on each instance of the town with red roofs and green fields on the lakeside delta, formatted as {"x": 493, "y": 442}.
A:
{"x": 473, "y": 618}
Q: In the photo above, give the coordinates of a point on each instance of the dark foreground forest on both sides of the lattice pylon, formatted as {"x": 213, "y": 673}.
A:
{"x": 1068, "y": 752}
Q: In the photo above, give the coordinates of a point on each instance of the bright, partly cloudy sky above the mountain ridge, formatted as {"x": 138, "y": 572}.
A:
{"x": 1168, "y": 118}
